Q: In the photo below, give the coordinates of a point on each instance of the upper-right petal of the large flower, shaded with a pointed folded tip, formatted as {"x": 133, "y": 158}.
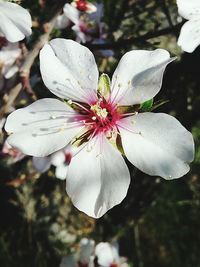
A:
{"x": 138, "y": 76}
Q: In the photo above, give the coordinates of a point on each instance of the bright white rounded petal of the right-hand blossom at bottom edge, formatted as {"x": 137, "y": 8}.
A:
{"x": 104, "y": 253}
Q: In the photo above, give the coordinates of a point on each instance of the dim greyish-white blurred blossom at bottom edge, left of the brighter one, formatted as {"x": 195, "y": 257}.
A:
{"x": 83, "y": 258}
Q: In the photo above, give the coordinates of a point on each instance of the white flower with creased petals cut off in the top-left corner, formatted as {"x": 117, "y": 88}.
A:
{"x": 15, "y": 21}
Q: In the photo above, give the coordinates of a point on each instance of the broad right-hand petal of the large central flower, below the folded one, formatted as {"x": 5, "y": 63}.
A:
{"x": 157, "y": 144}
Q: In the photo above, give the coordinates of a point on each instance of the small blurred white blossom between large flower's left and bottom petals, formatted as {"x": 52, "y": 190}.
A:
{"x": 59, "y": 159}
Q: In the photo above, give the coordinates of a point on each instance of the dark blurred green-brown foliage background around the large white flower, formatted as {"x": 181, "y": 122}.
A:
{"x": 158, "y": 223}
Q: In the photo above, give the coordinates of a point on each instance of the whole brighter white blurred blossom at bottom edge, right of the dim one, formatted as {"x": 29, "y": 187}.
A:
{"x": 108, "y": 255}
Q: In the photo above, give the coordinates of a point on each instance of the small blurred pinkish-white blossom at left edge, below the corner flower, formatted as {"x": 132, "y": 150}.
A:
{"x": 8, "y": 56}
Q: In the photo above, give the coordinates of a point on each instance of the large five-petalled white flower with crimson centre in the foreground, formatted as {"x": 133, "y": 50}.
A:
{"x": 95, "y": 117}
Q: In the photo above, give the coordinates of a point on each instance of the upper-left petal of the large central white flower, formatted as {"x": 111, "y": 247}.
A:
{"x": 69, "y": 70}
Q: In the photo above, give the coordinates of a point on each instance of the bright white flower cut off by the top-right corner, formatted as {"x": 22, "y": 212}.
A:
{"x": 189, "y": 37}
